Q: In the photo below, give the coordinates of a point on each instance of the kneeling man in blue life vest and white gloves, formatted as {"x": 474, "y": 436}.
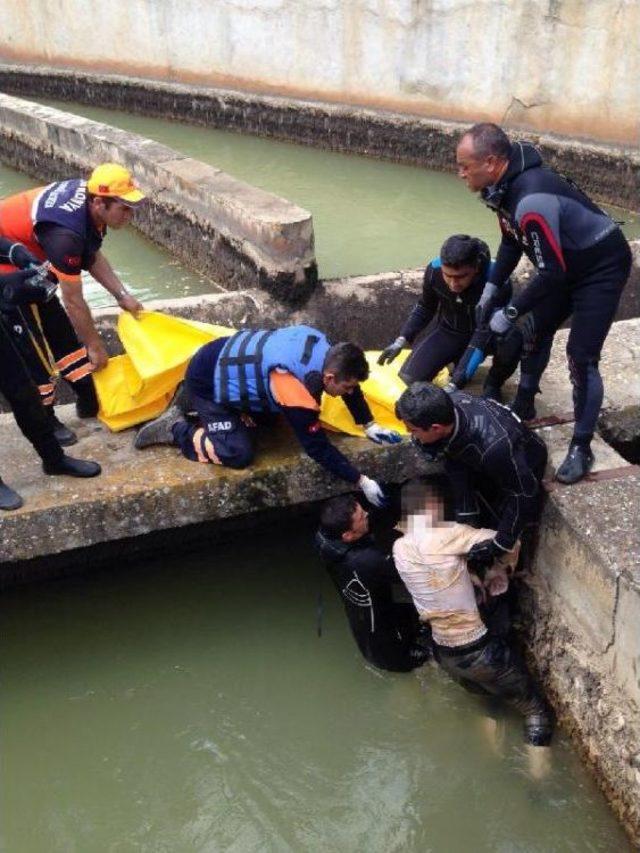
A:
{"x": 255, "y": 374}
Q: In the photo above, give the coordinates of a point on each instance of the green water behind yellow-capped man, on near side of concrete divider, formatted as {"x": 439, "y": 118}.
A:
{"x": 149, "y": 271}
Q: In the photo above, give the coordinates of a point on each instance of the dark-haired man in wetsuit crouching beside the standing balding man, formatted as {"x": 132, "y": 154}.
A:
{"x": 448, "y": 308}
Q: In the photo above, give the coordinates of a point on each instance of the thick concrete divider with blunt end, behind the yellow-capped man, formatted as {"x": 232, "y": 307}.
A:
{"x": 235, "y": 233}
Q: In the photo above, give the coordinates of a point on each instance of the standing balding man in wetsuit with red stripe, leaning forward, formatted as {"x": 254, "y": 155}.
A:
{"x": 582, "y": 263}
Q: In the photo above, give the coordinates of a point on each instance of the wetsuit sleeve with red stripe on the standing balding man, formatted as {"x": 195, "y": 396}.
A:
{"x": 538, "y": 216}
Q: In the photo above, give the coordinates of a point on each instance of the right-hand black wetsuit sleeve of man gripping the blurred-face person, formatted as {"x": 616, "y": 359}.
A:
{"x": 507, "y": 466}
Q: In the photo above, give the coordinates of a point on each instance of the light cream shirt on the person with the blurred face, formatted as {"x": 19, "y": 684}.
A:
{"x": 431, "y": 561}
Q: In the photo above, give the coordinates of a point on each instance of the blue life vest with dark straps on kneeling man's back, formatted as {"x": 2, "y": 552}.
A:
{"x": 241, "y": 374}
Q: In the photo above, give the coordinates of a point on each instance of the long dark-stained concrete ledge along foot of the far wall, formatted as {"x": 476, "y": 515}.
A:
{"x": 611, "y": 174}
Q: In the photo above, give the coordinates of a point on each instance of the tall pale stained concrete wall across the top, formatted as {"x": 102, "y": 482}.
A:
{"x": 569, "y": 66}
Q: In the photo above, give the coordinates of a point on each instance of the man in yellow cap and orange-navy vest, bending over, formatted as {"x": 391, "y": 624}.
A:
{"x": 65, "y": 223}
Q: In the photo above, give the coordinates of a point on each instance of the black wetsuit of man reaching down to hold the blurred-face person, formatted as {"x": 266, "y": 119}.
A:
{"x": 493, "y": 456}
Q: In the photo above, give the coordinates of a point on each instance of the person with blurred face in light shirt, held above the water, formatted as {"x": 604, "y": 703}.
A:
{"x": 430, "y": 559}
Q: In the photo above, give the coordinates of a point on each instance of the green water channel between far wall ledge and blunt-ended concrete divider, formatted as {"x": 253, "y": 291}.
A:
{"x": 369, "y": 215}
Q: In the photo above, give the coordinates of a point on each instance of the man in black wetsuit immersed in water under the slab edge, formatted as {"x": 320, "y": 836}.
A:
{"x": 386, "y": 630}
